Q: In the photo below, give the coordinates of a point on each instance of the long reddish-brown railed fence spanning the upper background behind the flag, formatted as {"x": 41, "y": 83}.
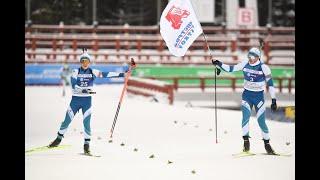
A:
{"x": 140, "y": 38}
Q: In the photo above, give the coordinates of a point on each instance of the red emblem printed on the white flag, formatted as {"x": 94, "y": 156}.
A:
{"x": 175, "y": 15}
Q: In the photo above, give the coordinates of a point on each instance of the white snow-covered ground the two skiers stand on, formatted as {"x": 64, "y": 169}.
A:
{"x": 185, "y": 136}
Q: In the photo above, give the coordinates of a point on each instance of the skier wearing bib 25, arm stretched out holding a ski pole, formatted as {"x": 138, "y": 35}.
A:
{"x": 82, "y": 82}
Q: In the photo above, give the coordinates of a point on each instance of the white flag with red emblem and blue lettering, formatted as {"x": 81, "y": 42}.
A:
{"x": 179, "y": 26}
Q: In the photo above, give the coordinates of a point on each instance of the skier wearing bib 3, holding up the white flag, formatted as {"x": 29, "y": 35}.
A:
{"x": 256, "y": 75}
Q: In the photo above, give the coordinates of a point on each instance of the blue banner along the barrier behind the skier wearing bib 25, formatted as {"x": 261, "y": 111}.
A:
{"x": 49, "y": 74}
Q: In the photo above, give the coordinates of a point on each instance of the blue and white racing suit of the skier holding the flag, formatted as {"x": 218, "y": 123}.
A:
{"x": 255, "y": 78}
